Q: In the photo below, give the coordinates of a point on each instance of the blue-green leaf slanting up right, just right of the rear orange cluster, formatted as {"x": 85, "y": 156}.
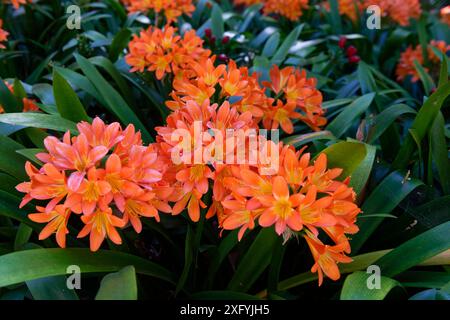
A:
{"x": 346, "y": 118}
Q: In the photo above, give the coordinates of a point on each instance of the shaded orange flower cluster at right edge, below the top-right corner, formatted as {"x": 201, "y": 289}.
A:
{"x": 405, "y": 66}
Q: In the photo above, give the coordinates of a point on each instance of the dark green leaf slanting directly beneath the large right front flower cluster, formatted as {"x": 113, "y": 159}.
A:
{"x": 255, "y": 261}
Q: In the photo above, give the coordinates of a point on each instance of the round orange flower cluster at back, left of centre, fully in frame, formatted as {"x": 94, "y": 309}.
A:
{"x": 163, "y": 51}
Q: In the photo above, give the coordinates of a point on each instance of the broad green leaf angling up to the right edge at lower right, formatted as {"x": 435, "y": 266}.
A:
{"x": 416, "y": 250}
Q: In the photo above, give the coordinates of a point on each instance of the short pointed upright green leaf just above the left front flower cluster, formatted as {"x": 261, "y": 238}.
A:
{"x": 67, "y": 102}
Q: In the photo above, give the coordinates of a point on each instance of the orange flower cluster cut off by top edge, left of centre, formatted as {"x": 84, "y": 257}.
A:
{"x": 172, "y": 9}
